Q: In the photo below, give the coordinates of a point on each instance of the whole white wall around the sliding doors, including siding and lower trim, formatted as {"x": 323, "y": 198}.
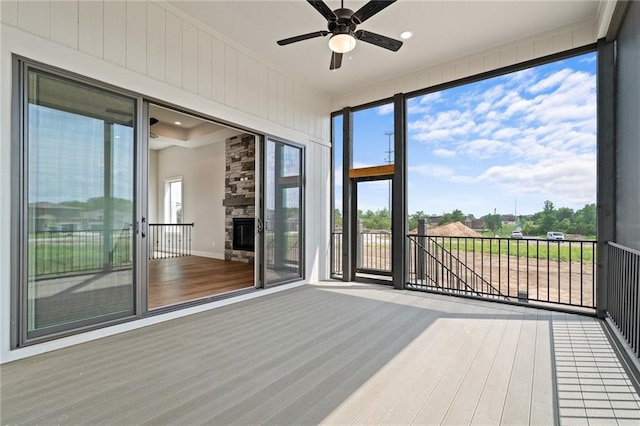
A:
{"x": 153, "y": 49}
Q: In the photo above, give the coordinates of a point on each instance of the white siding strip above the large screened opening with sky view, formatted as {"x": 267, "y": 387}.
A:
{"x": 520, "y": 51}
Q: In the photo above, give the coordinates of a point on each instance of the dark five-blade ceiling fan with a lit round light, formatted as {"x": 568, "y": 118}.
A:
{"x": 341, "y": 24}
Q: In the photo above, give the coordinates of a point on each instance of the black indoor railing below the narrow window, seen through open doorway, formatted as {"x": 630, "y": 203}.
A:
{"x": 169, "y": 240}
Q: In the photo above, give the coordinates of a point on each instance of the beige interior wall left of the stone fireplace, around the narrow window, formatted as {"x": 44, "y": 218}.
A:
{"x": 202, "y": 171}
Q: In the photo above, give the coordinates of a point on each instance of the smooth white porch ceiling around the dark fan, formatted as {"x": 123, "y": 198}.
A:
{"x": 442, "y": 31}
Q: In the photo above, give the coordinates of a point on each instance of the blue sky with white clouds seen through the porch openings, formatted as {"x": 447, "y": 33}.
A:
{"x": 513, "y": 140}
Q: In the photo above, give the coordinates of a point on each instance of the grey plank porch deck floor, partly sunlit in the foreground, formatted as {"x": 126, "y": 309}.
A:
{"x": 335, "y": 354}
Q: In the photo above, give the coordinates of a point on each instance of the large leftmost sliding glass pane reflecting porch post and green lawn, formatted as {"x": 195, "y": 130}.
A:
{"x": 80, "y": 205}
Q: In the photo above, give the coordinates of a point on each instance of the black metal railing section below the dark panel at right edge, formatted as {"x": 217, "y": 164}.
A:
{"x": 623, "y": 292}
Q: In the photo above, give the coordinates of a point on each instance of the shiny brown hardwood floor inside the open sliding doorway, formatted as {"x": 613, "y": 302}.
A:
{"x": 180, "y": 279}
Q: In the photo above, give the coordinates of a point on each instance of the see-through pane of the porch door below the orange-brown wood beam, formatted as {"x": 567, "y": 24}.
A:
{"x": 373, "y": 228}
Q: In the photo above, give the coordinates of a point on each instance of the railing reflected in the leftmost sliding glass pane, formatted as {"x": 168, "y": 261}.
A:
{"x": 66, "y": 252}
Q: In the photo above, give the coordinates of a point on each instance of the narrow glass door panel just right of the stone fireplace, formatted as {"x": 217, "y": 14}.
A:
{"x": 283, "y": 212}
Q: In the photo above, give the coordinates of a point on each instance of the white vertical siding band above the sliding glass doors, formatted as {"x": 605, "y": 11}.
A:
{"x": 158, "y": 41}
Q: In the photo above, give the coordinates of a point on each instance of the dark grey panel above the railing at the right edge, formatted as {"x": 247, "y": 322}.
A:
{"x": 628, "y": 130}
